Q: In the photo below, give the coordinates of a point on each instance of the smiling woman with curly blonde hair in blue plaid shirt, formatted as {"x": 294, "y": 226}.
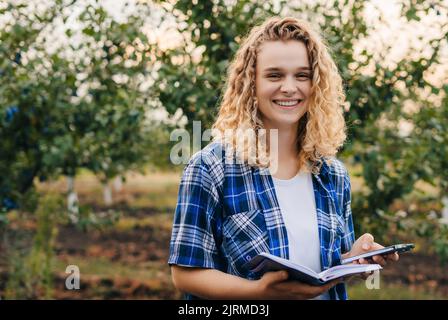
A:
{"x": 282, "y": 80}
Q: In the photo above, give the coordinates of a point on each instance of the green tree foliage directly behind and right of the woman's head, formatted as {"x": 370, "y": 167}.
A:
{"x": 392, "y": 162}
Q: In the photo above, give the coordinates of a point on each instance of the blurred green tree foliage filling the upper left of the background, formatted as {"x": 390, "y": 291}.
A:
{"x": 80, "y": 105}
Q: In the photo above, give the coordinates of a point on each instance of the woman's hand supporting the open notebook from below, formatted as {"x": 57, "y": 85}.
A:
{"x": 275, "y": 285}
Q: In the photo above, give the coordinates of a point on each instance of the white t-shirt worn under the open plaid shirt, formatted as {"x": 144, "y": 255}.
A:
{"x": 298, "y": 207}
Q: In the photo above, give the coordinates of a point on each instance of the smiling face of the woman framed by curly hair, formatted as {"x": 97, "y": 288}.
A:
{"x": 283, "y": 82}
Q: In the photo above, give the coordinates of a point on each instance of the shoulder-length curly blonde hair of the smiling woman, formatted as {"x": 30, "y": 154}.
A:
{"x": 321, "y": 130}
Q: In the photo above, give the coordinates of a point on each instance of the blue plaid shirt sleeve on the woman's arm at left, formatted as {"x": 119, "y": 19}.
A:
{"x": 196, "y": 225}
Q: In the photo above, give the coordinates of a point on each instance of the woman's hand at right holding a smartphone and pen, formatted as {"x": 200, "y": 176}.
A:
{"x": 365, "y": 243}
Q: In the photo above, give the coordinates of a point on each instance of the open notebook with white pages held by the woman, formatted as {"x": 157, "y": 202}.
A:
{"x": 265, "y": 262}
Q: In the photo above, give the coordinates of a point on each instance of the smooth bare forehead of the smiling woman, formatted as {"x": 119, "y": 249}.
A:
{"x": 290, "y": 54}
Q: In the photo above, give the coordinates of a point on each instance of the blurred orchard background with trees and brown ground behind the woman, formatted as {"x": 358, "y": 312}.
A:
{"x": 90, "y": 92}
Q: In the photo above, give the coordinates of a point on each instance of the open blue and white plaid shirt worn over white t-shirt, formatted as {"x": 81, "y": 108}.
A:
{"x": 228, "y": 213}
